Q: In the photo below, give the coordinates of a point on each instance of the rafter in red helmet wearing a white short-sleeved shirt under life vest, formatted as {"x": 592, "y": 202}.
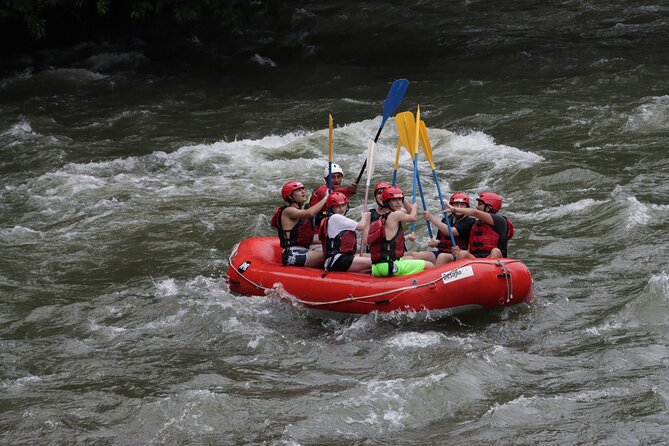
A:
{"x": 339, "y": 239}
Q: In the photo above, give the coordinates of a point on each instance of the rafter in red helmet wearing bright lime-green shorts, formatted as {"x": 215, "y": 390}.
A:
{"x": 386, "y": 238}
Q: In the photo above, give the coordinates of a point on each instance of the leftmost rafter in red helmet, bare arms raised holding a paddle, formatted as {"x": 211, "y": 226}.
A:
{"x": 295, "y": 227}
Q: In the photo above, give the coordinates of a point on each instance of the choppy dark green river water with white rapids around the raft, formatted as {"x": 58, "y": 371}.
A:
{"x": 125, "y": 184}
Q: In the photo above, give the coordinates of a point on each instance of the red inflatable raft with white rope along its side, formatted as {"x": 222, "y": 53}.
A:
{"x": 255, "y": 269}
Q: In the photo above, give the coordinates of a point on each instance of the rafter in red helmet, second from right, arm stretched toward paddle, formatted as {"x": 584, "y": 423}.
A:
{"x": 461, "y": 226}
